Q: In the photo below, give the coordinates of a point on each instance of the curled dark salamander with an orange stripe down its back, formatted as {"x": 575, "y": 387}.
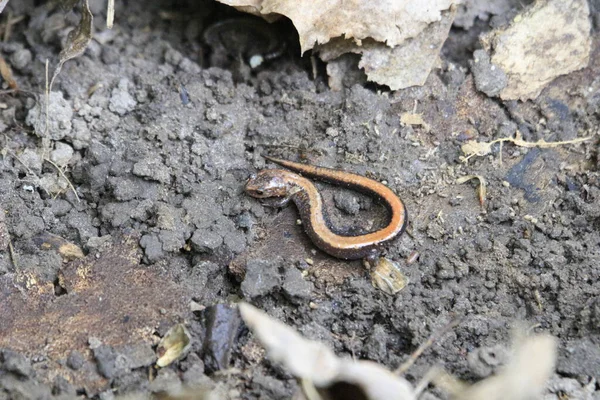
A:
{"x": 294, "y": 186}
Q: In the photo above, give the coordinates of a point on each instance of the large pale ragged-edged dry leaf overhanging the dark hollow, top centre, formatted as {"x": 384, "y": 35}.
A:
{"x": 399, "y": 41}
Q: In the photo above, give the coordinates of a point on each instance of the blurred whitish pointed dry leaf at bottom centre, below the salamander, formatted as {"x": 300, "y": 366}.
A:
{"x": 314, "y": 362}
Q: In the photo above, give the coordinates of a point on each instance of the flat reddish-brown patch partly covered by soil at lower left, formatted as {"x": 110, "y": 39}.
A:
{"x": 106, "y": 299}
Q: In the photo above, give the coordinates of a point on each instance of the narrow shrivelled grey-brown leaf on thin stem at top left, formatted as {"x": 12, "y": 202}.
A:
{"x": 78, "y": 39}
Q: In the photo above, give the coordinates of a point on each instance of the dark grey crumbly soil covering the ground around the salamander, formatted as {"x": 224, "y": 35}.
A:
{"x": 158, "y": 131}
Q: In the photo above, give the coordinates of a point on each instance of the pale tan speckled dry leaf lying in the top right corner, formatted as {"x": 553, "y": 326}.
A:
{"x": 532, "y": 55}
